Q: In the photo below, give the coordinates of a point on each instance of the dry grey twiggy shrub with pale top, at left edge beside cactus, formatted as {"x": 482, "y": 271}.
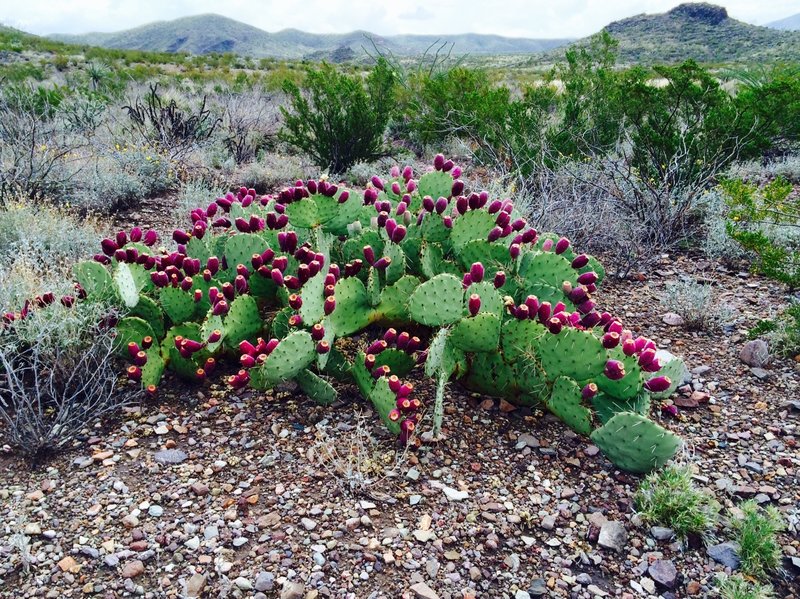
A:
{"x": 47, "y": 397}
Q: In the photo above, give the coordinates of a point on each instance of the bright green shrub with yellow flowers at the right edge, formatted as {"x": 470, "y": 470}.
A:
{"x": 766, "y": 222}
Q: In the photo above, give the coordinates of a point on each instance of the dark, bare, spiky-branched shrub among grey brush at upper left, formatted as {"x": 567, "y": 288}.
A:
{"x": 166, "y": 125}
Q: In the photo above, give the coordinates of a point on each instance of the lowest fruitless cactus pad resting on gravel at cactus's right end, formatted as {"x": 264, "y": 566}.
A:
{"x": 634, "y": 443}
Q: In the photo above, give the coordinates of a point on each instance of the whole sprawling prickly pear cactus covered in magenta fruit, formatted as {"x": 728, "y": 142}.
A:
{"x": 458, "y": 283}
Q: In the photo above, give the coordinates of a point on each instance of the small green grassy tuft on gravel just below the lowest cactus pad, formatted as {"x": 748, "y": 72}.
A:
{"x": 669, "y": 498}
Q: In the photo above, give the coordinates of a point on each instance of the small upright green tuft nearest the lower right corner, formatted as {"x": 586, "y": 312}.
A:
{"x": 756, "y": 532}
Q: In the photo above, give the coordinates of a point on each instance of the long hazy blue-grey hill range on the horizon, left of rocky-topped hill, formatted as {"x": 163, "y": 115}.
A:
{"x": 203, "y": 34}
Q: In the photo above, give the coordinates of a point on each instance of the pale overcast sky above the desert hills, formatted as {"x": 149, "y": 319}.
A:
{"x": 522, "y": 18}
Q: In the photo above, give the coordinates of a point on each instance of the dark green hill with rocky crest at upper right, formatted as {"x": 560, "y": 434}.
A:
{"x": 703, "y": 32}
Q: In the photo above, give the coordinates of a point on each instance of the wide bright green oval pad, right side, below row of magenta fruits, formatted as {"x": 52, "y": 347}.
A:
{"x": 573, "y": 353}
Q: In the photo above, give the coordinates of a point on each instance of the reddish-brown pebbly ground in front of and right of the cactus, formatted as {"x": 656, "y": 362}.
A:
{"x": 205, "y": 493}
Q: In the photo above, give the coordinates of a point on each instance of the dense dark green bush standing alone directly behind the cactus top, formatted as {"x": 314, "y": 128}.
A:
{"x": 340, "y": 119}
